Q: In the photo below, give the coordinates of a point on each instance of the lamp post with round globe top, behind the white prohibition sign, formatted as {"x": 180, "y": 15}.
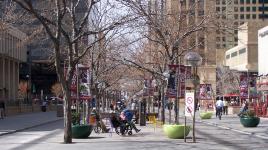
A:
{"x": 194, "y": 60}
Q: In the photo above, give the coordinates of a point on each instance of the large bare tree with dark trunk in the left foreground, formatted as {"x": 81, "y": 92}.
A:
{"x": 67, "y": 29}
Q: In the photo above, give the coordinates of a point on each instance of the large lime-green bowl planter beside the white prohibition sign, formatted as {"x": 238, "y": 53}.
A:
{"x": 176, "y": 131}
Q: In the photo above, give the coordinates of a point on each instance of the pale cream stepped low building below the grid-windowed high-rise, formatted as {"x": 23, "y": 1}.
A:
{"x": 244, "y": 56}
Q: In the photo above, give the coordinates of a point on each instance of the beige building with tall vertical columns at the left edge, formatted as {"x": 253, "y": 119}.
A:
{"x": 12, "y": 53}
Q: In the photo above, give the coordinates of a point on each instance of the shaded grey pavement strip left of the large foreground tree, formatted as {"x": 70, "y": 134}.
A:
{"x": 20, "y": 122}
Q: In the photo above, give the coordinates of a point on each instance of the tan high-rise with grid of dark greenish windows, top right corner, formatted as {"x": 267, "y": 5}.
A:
{"x": 235, "y": 13}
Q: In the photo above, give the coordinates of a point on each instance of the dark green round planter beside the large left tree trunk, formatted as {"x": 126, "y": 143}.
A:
{"x": 81, "y": 131}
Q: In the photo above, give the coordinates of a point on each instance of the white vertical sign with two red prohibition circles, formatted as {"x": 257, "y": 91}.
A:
{"x": 189, "y": 103}
